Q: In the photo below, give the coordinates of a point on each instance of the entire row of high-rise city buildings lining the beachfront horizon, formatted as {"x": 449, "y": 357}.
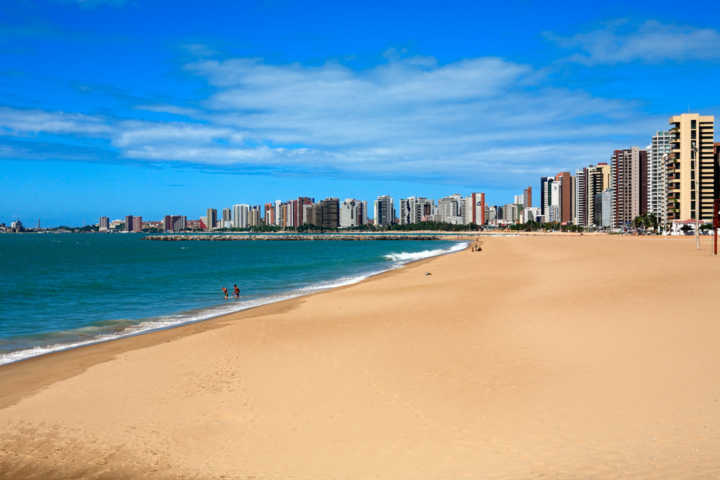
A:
{"x": 674, "y": 178}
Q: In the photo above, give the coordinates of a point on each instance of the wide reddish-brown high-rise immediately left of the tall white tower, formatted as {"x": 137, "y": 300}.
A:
{"x": 629, "y": 183}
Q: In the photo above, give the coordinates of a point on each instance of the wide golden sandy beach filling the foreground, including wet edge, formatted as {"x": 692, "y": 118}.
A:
{"x": 558, "y": 357}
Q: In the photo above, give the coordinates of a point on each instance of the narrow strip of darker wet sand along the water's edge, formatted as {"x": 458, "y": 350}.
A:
{"x": 169, "y": 333}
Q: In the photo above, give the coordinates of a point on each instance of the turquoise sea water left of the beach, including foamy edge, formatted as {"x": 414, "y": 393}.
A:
{"x": 63, "y": 290}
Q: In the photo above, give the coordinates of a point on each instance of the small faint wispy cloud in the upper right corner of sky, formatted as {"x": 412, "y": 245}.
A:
{"x": 650, "y": 41}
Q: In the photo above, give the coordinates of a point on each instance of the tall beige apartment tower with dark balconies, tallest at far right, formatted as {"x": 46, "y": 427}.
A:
{"x": 690, "y": 165}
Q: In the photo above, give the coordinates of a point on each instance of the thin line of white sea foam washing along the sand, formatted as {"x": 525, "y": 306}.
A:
{"x": 168, "y": 321}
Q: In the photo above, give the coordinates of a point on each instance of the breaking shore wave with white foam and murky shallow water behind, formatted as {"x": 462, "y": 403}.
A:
{"x": 108, "y": 330}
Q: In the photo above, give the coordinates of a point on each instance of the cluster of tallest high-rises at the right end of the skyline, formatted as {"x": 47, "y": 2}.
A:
{"x": 674, "y": 179}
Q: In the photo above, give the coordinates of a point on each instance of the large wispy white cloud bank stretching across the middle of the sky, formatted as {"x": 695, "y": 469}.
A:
{"x": 412, "y": 118}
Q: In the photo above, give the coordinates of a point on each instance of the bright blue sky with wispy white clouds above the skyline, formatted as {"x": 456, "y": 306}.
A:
{"x": 153, "y": 107}
